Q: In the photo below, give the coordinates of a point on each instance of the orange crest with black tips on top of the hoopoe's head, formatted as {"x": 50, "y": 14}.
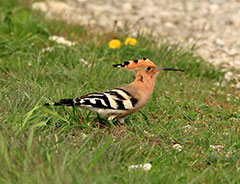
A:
{"x": 134, "y": 64}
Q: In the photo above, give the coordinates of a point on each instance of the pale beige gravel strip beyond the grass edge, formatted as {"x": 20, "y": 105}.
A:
{"x": 213, "y": 26}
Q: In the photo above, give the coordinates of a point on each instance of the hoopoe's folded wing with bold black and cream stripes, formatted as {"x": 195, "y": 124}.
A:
{"x": 116, "y": 99}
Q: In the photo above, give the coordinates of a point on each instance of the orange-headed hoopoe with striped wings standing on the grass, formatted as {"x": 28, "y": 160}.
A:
{"x": 121, "y": 102}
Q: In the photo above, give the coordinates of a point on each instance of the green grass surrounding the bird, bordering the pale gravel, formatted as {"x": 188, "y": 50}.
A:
{"x": 59, "y": 145}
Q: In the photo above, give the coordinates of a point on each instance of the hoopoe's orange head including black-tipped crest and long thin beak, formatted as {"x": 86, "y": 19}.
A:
{"x": 144, "y": 66}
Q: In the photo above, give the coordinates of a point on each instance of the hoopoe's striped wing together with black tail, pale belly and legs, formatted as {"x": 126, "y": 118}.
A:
{"x": 111, "y": 104}
